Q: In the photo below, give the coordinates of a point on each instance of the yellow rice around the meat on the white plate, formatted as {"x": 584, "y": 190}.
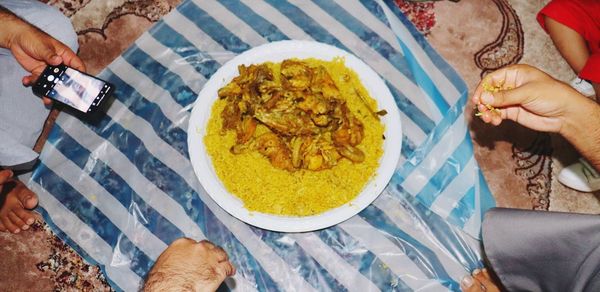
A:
{"x": 266, "y": 189}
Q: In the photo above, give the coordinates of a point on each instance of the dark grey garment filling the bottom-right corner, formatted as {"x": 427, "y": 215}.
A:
{"x": 543, "y": 251}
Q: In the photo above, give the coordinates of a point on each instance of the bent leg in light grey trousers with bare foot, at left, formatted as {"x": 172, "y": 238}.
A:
{"x": 22, "y": 114}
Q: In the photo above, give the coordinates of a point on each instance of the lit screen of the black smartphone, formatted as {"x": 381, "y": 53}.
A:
{"x": 75, "y": 89}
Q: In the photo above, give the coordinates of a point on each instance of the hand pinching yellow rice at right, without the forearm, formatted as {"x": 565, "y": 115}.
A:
{"x": 529, "y": 97}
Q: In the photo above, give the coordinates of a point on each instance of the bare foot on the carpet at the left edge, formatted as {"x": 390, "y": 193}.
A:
{"x": 15, "y": 202}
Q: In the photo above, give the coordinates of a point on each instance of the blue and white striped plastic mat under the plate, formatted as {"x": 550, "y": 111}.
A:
{"x": 121, "y": 190}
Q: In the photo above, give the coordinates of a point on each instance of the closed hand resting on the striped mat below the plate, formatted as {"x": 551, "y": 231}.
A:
{"x": 187, "y": 263}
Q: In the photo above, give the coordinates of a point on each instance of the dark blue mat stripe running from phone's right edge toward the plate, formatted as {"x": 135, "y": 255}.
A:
{"x": 149, "y": 111}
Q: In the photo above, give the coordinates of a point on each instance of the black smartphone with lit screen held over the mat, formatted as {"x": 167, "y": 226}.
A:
{"x": 73, "y": 88}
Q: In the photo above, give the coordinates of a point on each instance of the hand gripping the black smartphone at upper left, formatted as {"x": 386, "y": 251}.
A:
{"x": 34, "y": 50}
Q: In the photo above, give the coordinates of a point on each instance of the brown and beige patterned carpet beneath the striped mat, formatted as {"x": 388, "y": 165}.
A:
{"x": 519, "y": 165}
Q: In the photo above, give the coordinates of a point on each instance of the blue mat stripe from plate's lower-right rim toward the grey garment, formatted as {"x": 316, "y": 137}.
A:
{"x": 443, "y": 232}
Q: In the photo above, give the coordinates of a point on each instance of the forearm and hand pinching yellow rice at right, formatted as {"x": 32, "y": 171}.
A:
{"x": 535, "y": 100}
